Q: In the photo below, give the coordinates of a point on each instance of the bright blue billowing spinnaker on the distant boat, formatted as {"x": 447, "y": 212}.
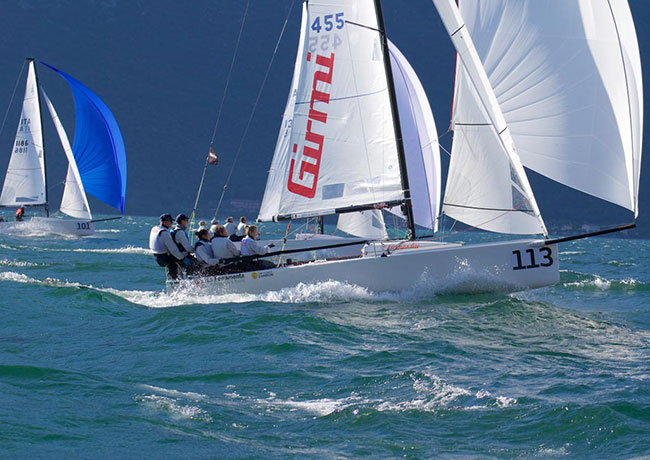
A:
{"x": 98, "y": 146}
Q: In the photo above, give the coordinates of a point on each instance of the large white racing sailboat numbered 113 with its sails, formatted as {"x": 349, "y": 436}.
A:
{"x": 527, "y": 97}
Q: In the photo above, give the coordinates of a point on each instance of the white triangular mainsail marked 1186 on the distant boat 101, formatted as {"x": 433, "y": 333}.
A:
{"x": 25, "y": 179}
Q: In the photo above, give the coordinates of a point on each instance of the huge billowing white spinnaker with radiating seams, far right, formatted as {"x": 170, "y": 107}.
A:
{"x": 567, "y": 74}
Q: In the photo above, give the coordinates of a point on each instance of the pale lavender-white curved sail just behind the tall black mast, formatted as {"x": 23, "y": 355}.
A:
{"x": 420, "y": 142}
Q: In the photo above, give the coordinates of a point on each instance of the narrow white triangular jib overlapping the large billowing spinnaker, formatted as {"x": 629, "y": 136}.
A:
{"x": 487, "y": 186}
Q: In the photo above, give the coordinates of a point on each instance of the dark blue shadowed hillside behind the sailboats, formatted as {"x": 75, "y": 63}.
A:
{"x": 161, "y": 67}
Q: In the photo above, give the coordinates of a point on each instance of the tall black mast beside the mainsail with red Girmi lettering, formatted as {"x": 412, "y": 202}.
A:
{"x": 407, "y": 207}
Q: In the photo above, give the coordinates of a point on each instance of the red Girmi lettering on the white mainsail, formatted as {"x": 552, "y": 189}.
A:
{"x": 304, "y": 184}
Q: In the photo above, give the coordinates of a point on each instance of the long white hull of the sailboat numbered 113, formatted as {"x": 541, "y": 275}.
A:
{"x": 450, "y": 268}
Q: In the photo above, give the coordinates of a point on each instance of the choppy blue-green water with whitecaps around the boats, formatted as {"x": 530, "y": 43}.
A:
{"x": 98, "y": 362}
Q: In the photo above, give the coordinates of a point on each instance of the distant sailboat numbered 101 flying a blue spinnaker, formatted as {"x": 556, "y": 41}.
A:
{"x": 96, "y": 161}
